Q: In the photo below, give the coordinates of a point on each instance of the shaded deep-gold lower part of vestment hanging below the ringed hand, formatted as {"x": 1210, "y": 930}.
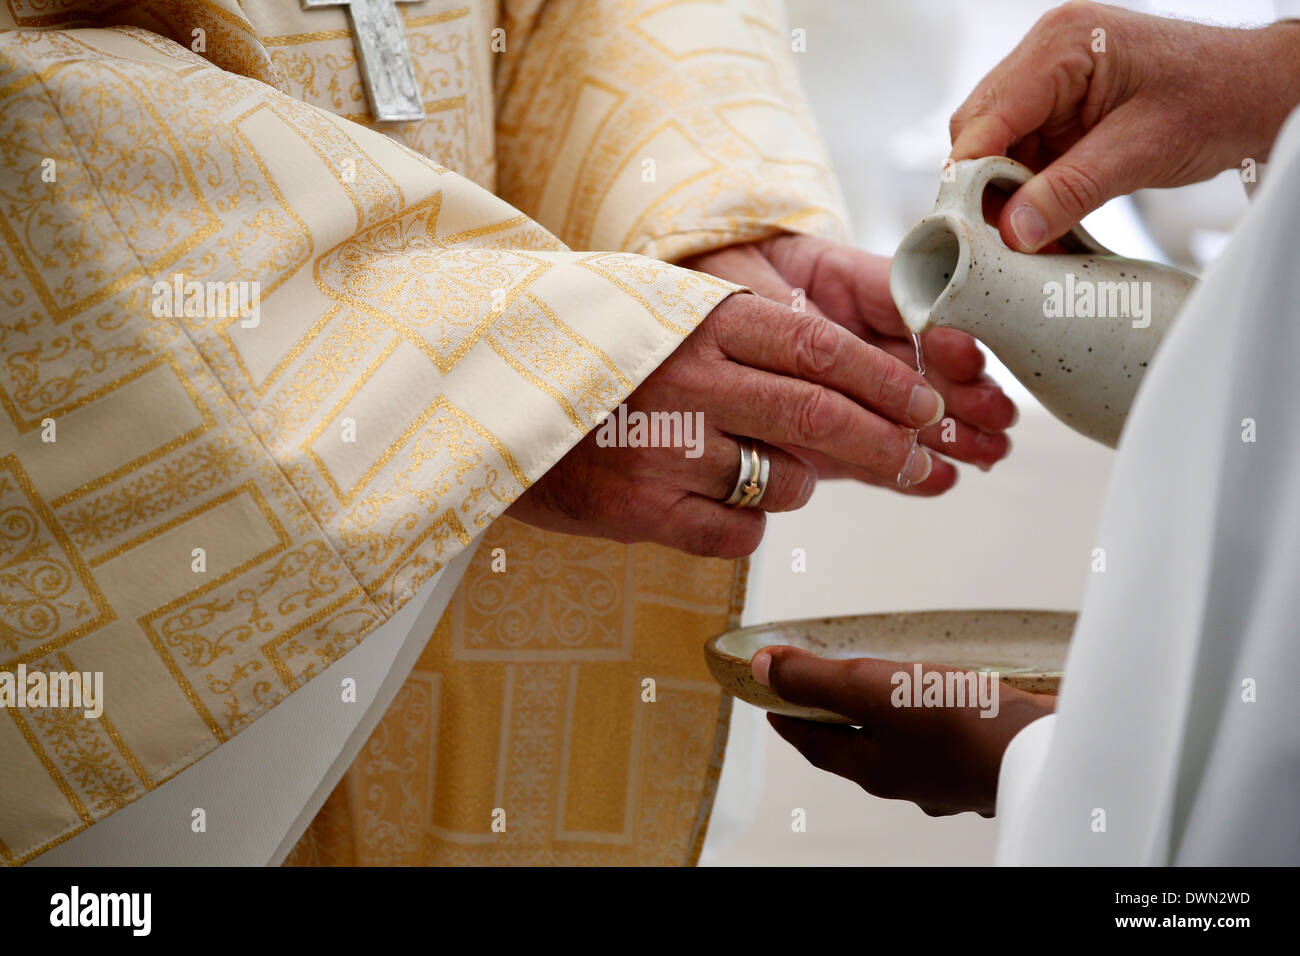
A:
{"x": 566, "y": 754}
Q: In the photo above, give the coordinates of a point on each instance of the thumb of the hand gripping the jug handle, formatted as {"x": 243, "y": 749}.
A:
{"x": 1104, "y": 165}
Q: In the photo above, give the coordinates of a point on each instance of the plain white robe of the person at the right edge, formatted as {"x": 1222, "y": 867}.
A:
{"x": 1177, "y": 739}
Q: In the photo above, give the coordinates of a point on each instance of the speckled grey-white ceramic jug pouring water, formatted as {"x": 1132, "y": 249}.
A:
{"x": 955, "y": 270}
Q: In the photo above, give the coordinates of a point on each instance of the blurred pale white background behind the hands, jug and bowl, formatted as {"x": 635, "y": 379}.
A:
{"x": 883, "y": 77}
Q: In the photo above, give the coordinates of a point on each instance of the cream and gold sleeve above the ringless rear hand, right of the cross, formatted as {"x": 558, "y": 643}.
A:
{"x": 660, "y": 128}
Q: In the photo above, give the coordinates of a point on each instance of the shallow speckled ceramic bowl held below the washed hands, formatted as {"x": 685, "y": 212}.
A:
{"x": 1026, "y": 648}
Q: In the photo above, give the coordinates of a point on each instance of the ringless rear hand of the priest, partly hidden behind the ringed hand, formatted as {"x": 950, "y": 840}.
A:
{"x": 852, "y": 289}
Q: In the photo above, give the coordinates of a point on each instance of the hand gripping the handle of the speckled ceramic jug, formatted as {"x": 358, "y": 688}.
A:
{"x": 1104, "y": 102}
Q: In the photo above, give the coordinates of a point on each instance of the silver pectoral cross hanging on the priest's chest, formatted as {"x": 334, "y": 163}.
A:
{"x": 384, "y": 57}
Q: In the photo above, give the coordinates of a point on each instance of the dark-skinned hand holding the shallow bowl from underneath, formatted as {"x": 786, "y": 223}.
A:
{"x": 943, "y": 759}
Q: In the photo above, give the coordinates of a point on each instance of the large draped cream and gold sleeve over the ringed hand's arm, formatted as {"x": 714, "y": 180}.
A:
{"x": 263, "y": 373}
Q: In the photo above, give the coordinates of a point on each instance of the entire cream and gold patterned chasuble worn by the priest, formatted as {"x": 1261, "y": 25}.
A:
{"x": 424, "y": 351}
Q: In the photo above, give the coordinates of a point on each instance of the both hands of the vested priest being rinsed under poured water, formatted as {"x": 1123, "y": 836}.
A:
{"x": 830, "y": 391}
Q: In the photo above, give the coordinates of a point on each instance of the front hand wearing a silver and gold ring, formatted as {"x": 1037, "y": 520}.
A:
{"x": 757, "y": 370}
